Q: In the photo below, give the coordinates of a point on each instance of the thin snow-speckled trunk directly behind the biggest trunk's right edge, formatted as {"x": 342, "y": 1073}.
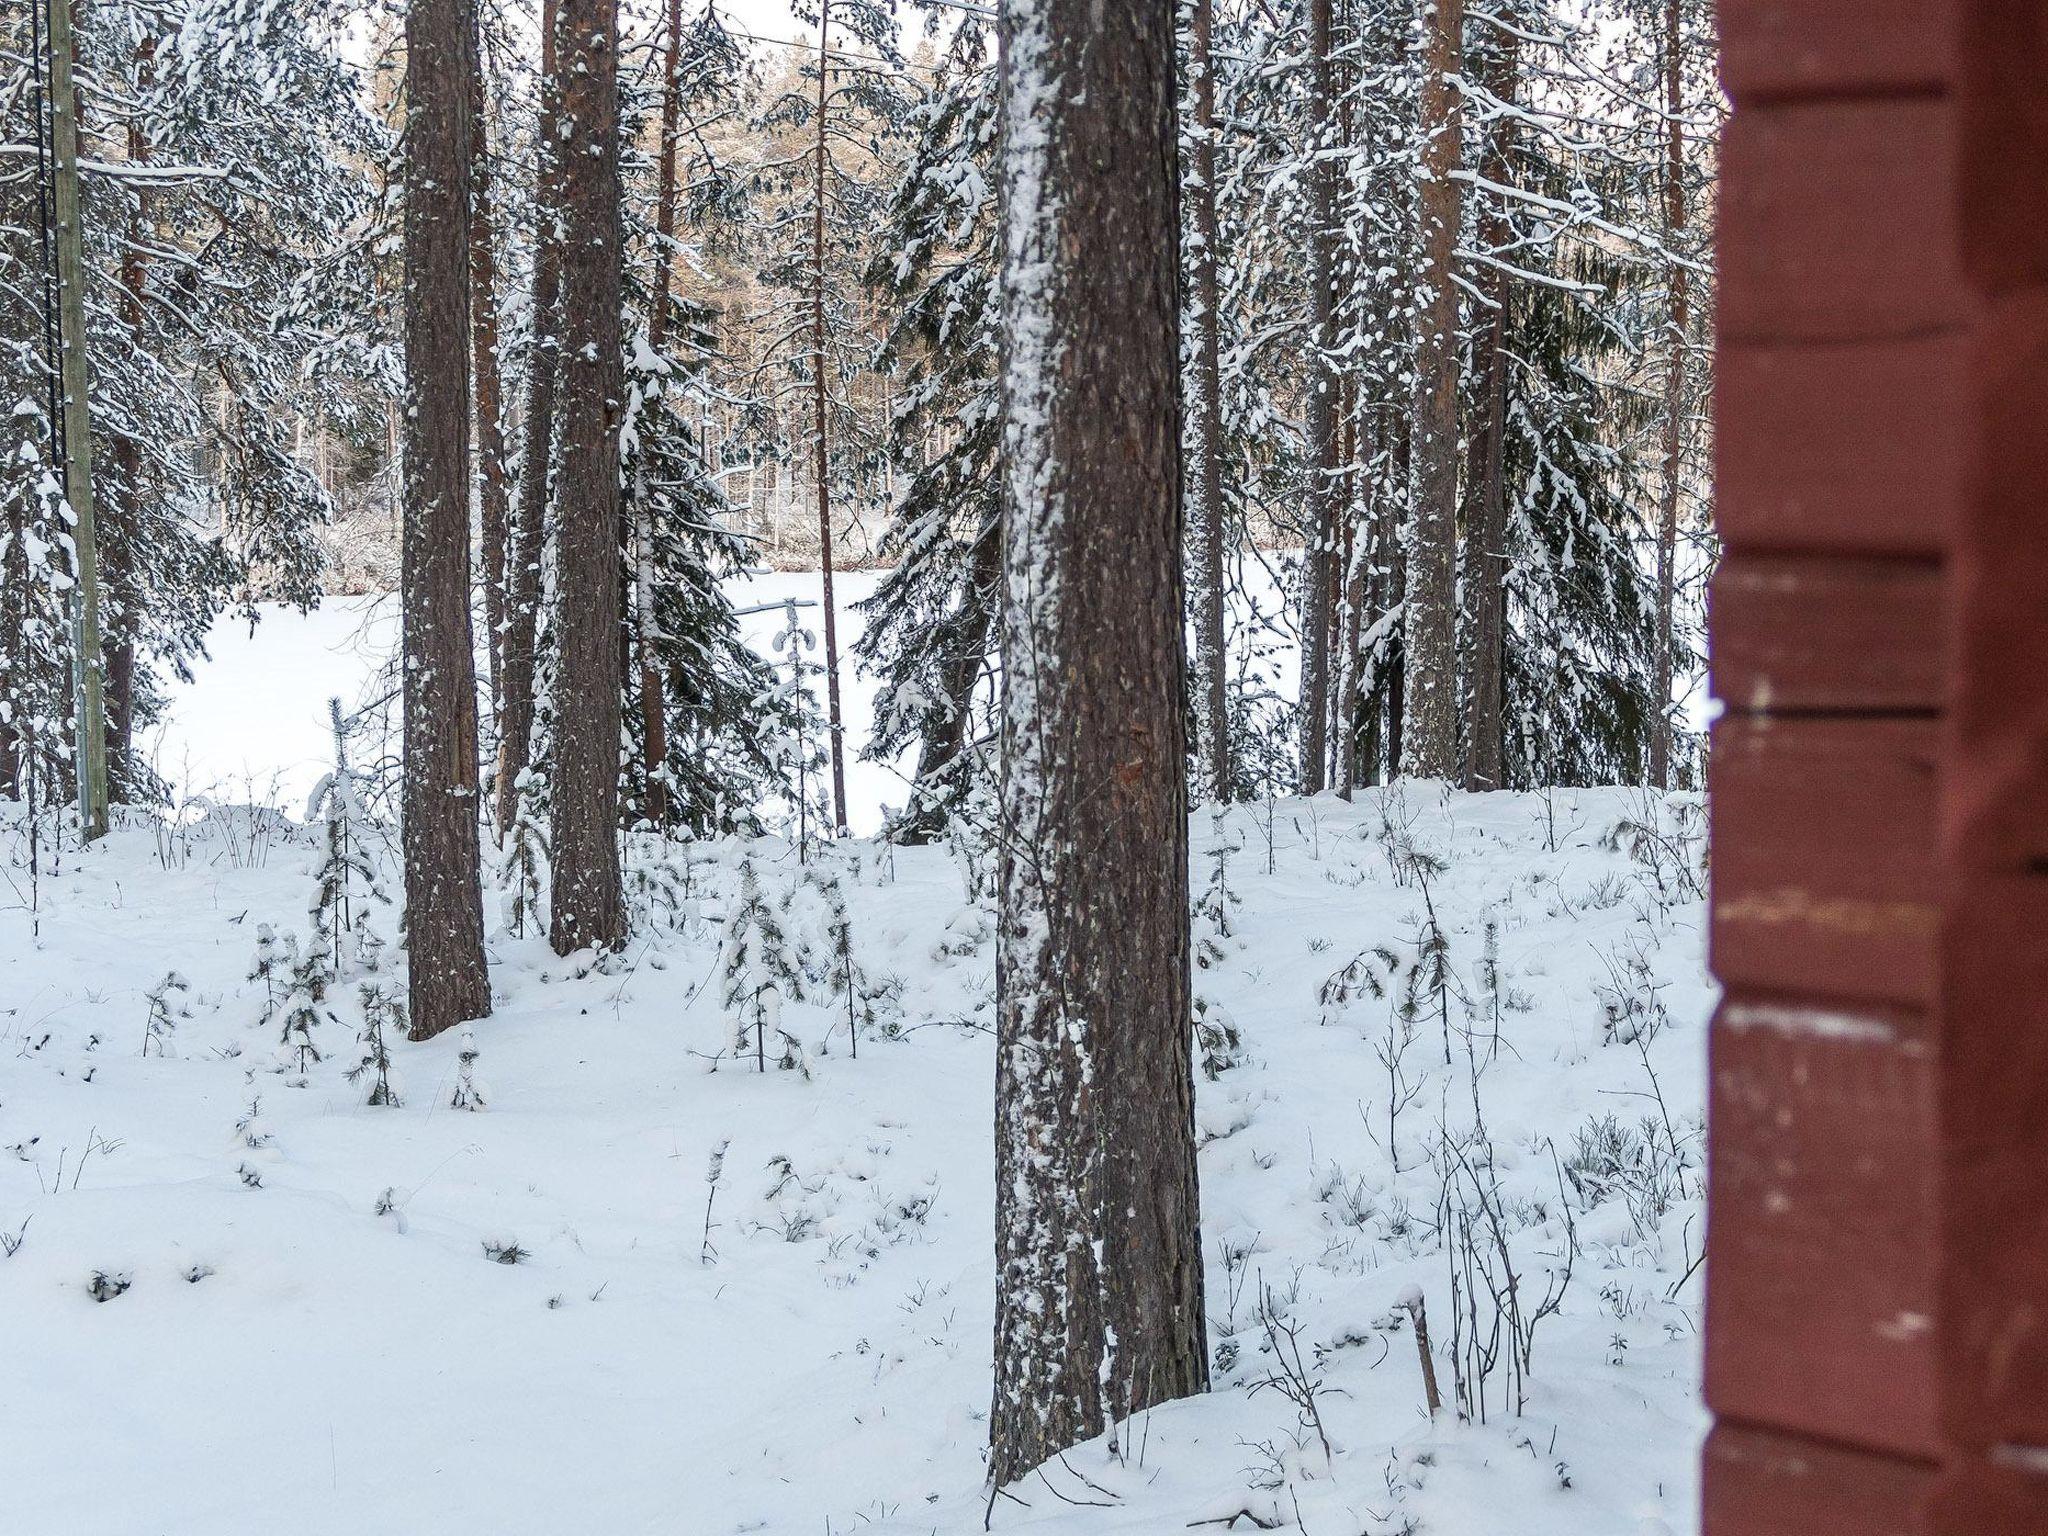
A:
{"x": 1209, "y": 521}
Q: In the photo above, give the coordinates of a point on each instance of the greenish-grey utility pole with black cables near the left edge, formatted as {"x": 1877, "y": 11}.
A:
{"x": 77, "y": 425}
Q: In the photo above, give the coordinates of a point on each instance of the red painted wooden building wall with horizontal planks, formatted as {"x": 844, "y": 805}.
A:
{"x": 1879, "y": 1234}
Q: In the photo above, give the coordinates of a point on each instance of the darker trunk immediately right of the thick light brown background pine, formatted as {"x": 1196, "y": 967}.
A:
{"x": 1486, "y": 540}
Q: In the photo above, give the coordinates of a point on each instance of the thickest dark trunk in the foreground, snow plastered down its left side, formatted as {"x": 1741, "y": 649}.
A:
{"x": 1099, "y": 1261}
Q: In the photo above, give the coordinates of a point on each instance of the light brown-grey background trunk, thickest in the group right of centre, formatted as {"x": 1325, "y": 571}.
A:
{"x": 1431, "y": 718}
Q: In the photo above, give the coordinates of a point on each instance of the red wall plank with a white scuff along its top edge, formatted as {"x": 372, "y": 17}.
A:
{"x": 1822, "y": 1230}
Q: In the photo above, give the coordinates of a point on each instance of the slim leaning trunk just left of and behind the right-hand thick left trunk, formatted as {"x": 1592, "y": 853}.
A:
{"x": 538, "y": 452}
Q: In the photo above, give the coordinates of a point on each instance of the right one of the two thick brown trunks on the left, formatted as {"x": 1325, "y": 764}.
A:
{"x": 587, "y": 904}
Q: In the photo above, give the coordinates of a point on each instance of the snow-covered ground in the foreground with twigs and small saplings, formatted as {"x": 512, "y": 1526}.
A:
{"x": 234, "y": 1304}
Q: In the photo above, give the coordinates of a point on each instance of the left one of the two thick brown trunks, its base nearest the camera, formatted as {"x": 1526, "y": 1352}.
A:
{"x": 447, "y": 976}
